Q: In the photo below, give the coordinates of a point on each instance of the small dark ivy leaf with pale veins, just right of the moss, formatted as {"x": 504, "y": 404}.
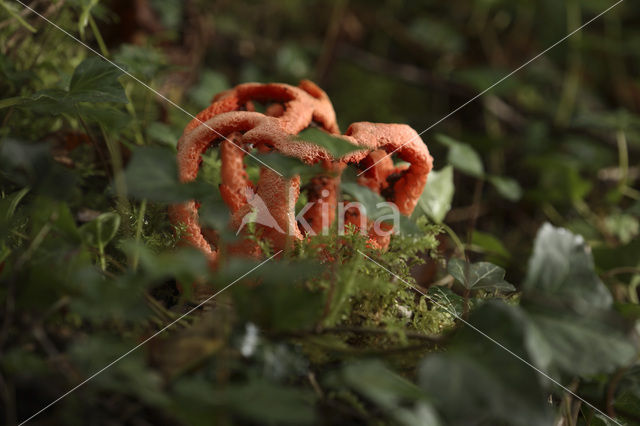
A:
{"x": 479, "y": 276}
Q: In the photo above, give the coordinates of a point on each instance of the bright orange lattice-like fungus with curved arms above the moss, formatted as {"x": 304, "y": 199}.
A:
{"x": 232, "y": 124}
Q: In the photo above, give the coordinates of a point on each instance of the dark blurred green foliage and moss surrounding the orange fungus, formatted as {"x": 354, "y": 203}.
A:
{"x": 90, "y": 267}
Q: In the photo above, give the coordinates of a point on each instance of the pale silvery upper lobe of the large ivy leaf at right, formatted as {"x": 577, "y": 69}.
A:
{"x": 561, "y": 268}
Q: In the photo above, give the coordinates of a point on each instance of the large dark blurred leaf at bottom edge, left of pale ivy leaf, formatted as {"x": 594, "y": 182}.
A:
{"x": 478, "y": 380}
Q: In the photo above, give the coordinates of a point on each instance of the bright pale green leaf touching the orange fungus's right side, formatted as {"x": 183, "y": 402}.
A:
{"x": 435, "y": 201}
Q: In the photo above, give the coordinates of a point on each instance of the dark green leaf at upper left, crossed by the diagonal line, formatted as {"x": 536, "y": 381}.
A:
{"x": 96, "y": 80}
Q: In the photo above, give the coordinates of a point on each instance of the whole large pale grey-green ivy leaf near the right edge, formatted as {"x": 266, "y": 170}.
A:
{"x": 589, "y": 337}
